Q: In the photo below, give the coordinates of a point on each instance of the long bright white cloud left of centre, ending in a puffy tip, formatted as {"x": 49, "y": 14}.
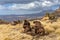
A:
{"x": 22, "y": 6}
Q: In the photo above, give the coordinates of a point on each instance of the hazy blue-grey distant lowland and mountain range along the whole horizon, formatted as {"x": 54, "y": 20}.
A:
{"x": 25, "y": 16}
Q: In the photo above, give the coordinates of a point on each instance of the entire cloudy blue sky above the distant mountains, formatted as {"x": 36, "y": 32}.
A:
{"x": 27, "y": 6}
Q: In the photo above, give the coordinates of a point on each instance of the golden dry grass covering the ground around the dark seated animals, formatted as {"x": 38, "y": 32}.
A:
{"x": 9, "y": 32}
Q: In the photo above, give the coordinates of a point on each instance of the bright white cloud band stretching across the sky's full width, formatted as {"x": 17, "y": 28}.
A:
{"x": 31, "y": 5}
